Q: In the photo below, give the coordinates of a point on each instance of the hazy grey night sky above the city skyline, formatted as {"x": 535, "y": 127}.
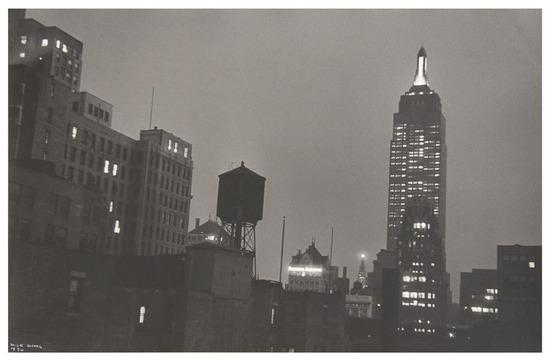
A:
{"x": 306, "y": 99}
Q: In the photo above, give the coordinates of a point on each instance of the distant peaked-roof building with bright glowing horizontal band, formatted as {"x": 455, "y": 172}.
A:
{"x": 309, "y": 271}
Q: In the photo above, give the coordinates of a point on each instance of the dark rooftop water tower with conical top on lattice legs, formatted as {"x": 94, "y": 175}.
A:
{"x": 240, "y": 206}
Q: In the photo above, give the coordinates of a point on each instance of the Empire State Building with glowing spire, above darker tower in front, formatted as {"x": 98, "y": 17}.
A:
{"x": 418, "y": 153}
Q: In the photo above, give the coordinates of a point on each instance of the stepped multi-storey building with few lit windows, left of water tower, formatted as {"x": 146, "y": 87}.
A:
{"x": 146, "y": 182}
